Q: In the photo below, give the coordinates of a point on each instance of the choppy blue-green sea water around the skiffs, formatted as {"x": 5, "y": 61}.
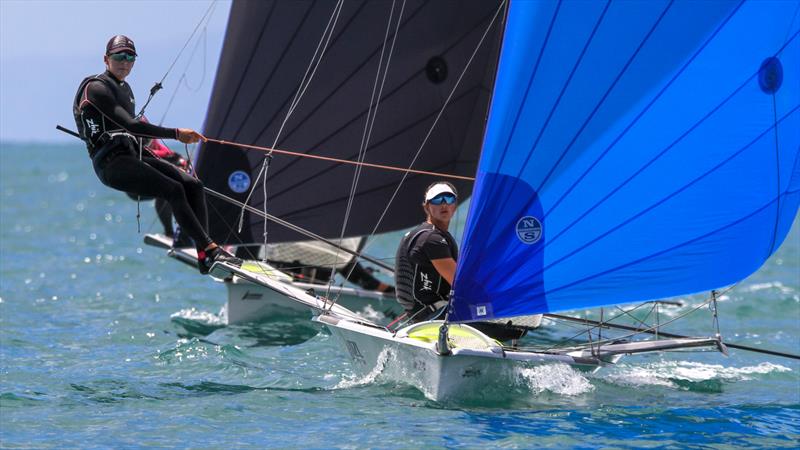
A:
{"x": 108, "y": 343}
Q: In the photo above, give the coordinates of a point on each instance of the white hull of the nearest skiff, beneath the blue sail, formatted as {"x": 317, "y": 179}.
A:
{"x": 468, "y": 371}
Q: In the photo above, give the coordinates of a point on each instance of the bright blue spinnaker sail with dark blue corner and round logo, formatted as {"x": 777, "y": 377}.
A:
{"x": 634, "y": 151}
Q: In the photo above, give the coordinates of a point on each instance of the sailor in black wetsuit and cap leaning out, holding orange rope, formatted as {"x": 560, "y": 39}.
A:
{"x": 105, "y": 115}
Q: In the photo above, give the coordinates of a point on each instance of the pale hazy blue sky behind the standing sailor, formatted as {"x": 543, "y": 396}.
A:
{"x": 48, "y": 46}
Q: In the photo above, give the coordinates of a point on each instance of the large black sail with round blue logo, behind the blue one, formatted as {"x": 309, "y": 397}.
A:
{"x": 268, "y": 47}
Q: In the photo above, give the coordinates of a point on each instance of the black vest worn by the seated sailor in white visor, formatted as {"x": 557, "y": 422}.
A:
{"x": 417, "y": 283}
